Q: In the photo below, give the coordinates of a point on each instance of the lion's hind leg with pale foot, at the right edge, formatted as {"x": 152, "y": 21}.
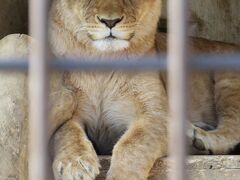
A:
{"x": 227, "y": 99}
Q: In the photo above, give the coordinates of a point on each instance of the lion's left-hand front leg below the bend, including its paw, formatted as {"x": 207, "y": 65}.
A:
{"x": 74, "y": 155}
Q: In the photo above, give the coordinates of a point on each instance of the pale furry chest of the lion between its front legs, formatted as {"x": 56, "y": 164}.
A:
{"x": 106, "y": 108}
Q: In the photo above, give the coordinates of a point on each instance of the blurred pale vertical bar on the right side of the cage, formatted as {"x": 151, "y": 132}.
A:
{"x": 177, "y": 68}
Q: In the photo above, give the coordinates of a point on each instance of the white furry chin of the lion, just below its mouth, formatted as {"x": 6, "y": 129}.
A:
{"x": 111, "y": 44}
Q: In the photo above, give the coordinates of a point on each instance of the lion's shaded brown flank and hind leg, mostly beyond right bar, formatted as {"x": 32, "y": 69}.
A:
{"x": 214, "y": 100}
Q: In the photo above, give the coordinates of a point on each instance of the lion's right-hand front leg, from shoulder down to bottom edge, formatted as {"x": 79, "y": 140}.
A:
{"x": 146, "y": 138}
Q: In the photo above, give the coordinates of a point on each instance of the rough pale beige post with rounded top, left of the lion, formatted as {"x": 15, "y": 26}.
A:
{"x": 13, "y": 112}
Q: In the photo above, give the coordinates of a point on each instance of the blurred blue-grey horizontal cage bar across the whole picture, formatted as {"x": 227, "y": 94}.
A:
{"x": 201, "y": 62}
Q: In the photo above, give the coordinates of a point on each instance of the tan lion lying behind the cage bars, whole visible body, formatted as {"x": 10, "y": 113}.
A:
{"x": 125, "y": 113}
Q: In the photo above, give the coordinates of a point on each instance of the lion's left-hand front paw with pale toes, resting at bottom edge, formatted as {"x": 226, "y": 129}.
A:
{"x": 76, "y": 168}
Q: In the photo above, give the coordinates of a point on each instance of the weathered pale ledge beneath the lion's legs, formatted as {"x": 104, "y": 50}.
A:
{"x": 199, "y": 168}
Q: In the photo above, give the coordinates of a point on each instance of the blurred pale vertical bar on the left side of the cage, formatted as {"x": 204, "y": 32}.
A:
{"x": 38, "y": 91}
